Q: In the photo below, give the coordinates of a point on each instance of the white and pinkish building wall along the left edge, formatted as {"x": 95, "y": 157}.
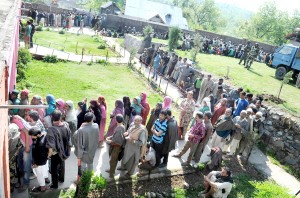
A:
{"x": 9, "y": 43}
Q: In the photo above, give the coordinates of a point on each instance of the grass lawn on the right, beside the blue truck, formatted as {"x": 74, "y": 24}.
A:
{"x": 258, "y": 80}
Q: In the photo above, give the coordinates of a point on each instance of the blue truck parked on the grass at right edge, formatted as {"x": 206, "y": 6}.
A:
{"x": 286, "y": 58}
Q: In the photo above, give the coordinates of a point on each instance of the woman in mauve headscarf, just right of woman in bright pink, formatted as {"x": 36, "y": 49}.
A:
{"x": 119, "y": 109}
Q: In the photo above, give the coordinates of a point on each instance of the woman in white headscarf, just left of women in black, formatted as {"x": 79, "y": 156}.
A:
{"x": 71, "y": 117}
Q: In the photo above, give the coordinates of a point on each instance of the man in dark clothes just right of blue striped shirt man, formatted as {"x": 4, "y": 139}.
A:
{"x": 170, "y": 138}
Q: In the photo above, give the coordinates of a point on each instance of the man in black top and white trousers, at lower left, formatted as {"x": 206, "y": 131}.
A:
{"x": 39, "y": 157}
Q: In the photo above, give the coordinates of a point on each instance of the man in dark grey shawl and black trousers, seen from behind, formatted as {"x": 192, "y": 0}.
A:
{"x": 59, "y": 145}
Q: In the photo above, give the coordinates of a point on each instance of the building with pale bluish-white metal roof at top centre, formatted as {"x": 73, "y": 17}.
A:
{"x": 156, "y": 12}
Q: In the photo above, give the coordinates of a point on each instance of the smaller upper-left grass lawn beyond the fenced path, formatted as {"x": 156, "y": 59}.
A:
{"x": 67, "y": 42}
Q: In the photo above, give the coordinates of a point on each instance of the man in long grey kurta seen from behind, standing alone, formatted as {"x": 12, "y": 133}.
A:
{"x": 86, "y": 142}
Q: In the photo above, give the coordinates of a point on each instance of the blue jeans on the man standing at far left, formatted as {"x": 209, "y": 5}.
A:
{"x": 24, "y": 164}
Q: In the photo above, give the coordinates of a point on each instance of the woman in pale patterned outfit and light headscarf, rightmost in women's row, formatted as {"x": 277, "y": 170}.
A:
{"x": 187, "y": 107}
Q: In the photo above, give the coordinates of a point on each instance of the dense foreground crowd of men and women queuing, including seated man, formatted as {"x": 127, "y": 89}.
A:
{"x": 224, "y": 123}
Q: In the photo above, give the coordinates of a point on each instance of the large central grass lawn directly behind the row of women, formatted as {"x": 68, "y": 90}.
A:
{"x": 73, "y": 81}
